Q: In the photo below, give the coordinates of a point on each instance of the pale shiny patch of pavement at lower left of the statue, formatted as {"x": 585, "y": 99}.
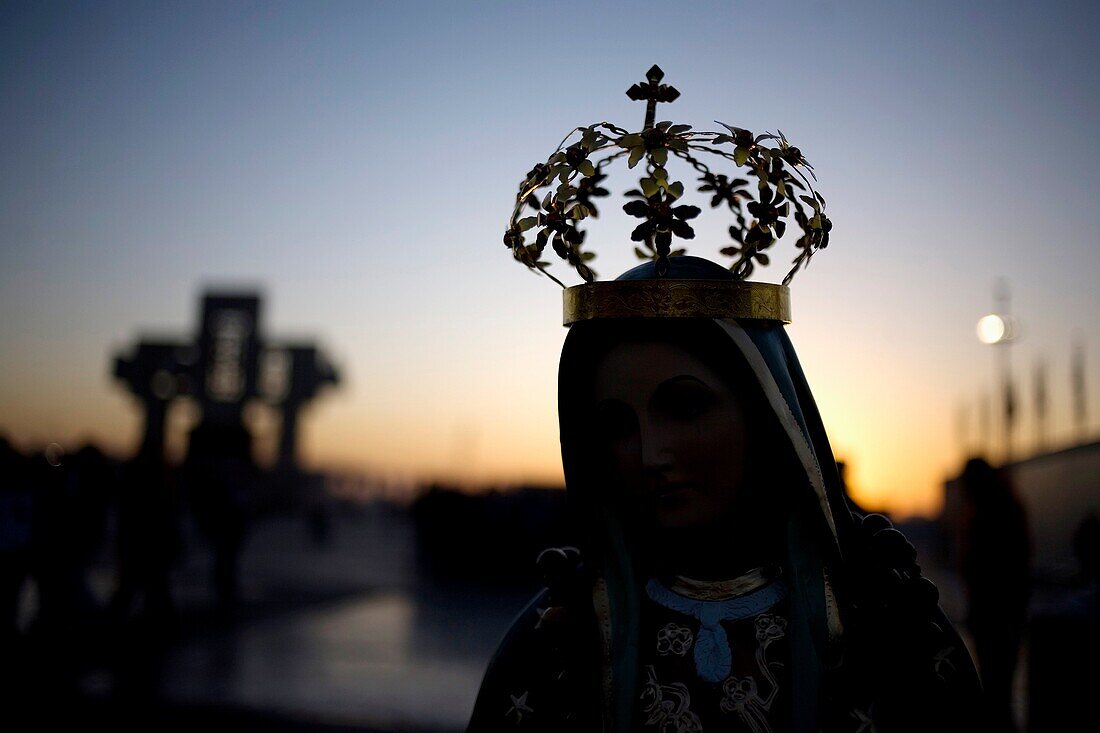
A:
{"x": 359, "y": 662}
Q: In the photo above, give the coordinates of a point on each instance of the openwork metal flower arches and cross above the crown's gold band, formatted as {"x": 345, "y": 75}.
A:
{"x": 763, "y": 180}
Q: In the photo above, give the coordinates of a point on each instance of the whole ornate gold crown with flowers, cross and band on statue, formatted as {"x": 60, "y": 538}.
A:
{"x": 574, "y": 177}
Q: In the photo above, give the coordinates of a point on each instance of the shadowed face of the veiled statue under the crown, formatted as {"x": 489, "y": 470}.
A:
{"x": 675, "y": 433}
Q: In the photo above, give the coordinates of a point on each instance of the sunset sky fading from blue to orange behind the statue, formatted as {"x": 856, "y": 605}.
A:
{"x": 358, "y": 163}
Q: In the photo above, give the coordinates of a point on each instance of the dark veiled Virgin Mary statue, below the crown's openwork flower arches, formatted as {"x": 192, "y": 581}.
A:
{"x": 723, "y": 582}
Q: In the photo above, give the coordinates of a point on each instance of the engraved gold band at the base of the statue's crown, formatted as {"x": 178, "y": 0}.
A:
{"x": 677, "y": 299}
